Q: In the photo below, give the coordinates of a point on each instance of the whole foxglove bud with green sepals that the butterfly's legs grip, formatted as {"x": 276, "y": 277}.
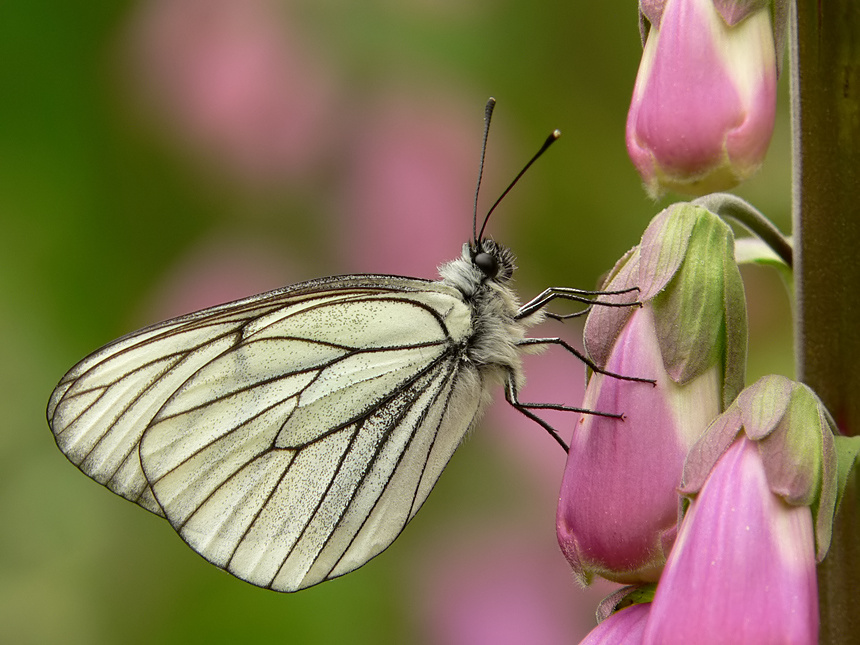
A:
{"x": 618, "y": 506}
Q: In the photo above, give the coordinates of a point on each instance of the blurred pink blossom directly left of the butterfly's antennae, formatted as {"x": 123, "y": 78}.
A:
{"x": 407, "y": 202}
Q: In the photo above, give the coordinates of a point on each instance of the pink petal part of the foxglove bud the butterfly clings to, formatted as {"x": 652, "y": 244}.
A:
{"x": 618, "y": 506}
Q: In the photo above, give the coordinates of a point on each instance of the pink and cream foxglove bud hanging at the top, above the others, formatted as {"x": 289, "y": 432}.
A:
{"x": 704, "y": 101}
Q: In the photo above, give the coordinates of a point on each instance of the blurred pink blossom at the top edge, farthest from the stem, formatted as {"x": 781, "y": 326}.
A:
{"x": 236, "y": 82}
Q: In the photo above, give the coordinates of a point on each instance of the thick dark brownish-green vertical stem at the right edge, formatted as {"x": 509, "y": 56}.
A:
{"x": 825, "y": 78}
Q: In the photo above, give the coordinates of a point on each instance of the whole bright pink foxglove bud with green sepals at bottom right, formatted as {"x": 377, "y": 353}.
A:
{"x": 764, "y": 481}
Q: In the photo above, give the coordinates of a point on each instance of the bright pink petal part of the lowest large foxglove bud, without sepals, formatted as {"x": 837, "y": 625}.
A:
{"x": 743, "y": 567}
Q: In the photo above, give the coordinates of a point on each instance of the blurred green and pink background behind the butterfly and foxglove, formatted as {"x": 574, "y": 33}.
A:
{"x": 158, "y": 156}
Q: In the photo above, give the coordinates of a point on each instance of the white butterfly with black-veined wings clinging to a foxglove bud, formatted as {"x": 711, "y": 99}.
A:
{"x": 289, "y": 437}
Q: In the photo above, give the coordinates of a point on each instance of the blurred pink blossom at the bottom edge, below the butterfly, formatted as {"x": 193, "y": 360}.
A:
{"x": 502, "y": 585}
